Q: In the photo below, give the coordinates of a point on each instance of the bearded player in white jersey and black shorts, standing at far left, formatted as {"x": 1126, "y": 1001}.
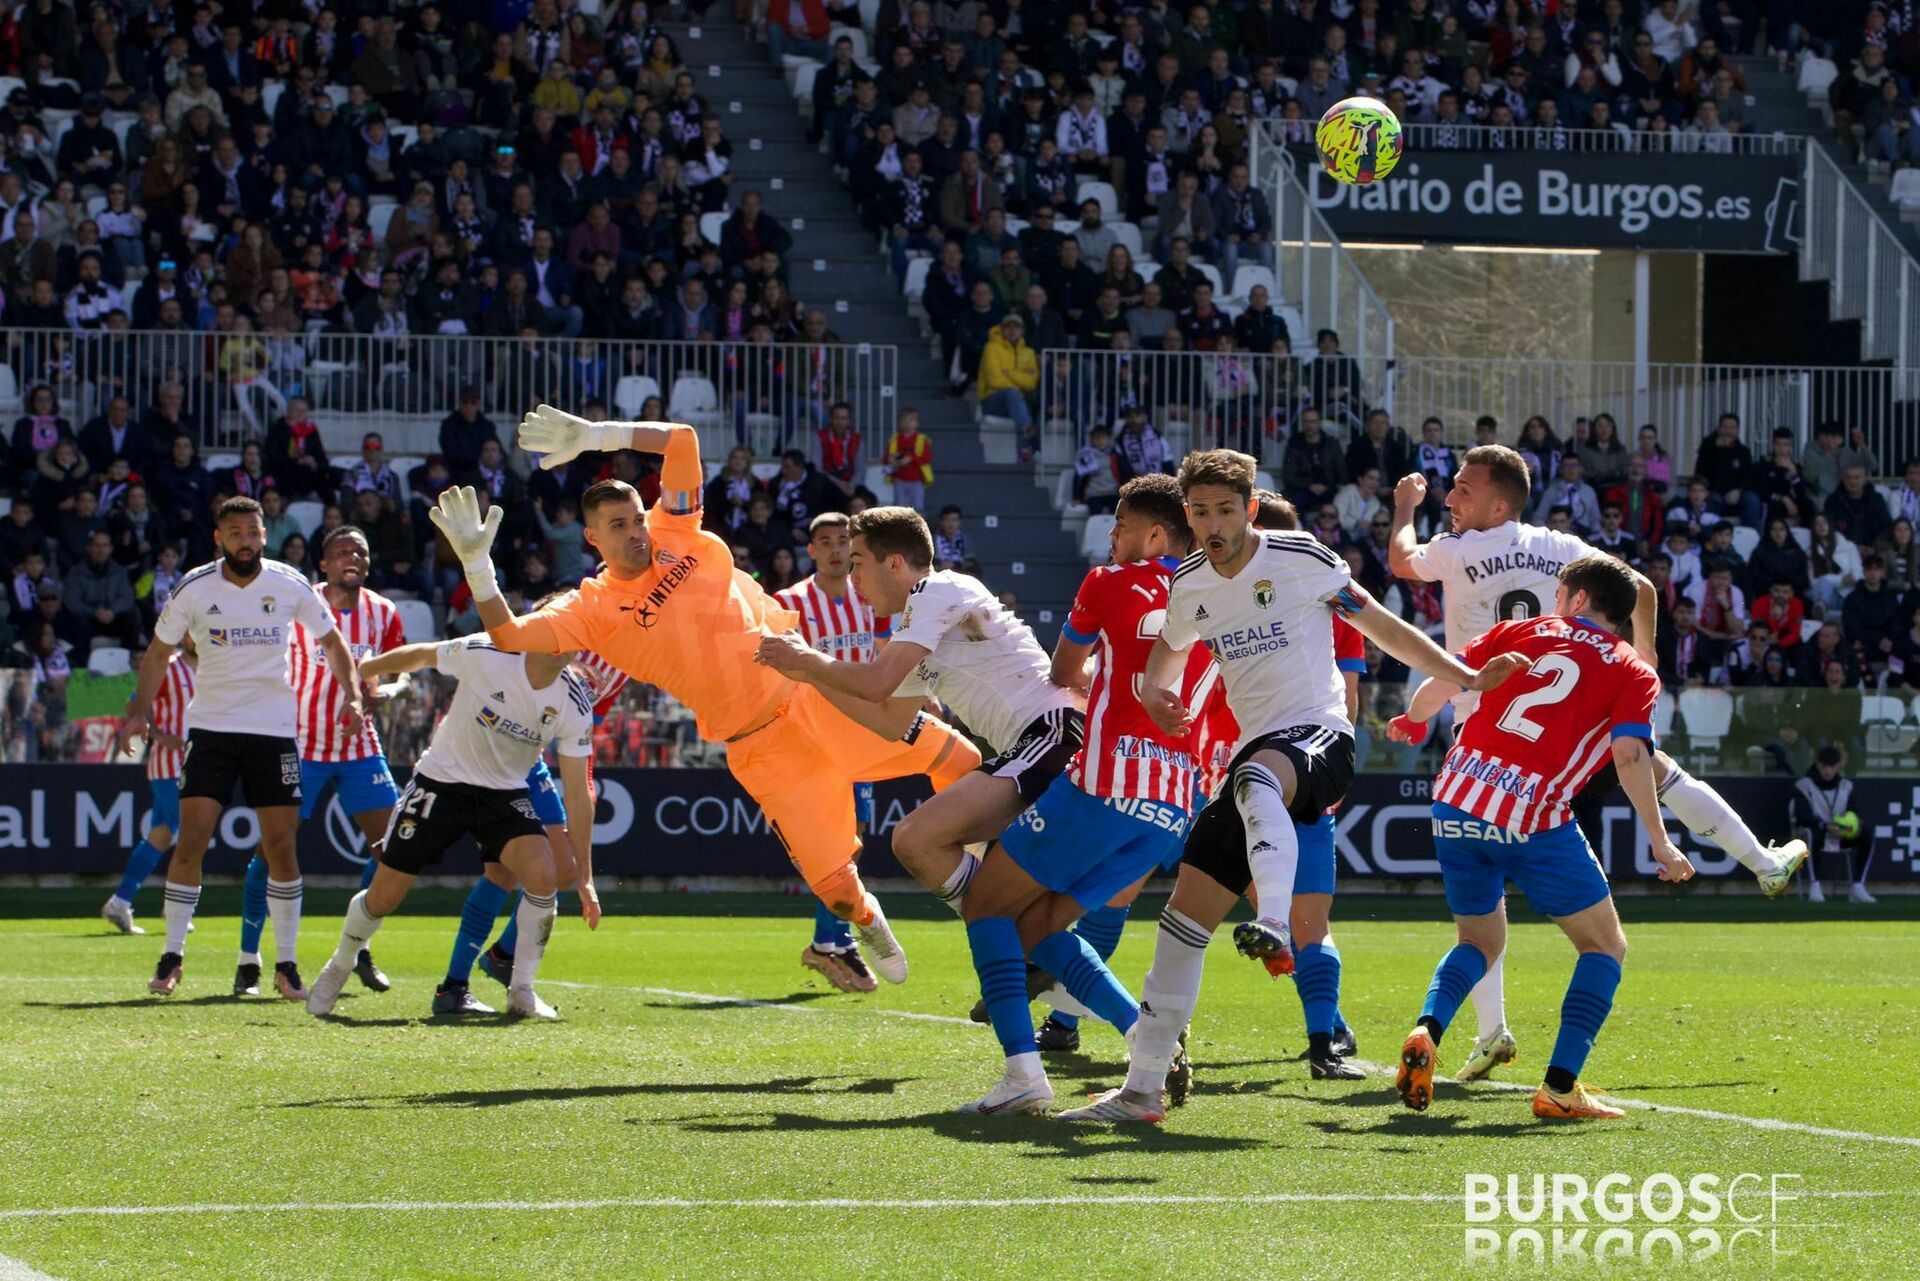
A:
{"x": 241, "y": 612}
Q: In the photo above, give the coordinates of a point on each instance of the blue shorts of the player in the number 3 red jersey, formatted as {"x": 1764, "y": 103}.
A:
{"x": 1090, "y": 848}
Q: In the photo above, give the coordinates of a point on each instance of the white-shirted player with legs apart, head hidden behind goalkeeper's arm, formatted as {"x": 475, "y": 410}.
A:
{"x": 473, "y": 783}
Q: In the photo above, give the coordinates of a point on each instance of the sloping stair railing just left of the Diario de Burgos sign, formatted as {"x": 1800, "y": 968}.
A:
{"x": 1314, "y": 272}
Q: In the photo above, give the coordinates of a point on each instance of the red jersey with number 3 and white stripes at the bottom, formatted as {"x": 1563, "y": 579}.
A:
{"x": 1122, "y": 608}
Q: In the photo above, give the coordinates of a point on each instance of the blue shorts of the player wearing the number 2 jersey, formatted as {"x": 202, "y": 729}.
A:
{"x": 1554, "y": 869}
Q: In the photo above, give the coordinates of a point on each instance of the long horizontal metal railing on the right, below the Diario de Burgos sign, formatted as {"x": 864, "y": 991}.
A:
{"x": 1253, "y": 402}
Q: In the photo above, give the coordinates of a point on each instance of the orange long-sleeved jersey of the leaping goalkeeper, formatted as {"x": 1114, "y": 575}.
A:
{"x": 692, "y": 623}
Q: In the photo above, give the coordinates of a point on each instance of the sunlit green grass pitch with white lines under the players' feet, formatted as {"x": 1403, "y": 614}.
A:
{"x": 706, "y": 1100}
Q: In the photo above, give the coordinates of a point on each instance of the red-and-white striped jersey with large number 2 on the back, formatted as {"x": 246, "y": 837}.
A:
{"x": 1541, "y": 737}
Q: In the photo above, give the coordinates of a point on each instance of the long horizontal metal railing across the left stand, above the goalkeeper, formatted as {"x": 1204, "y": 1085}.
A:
{"x": 767, "y": 397}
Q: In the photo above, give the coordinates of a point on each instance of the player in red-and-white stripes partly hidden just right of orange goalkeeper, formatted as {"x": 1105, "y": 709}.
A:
{"x": 840, "y": 625}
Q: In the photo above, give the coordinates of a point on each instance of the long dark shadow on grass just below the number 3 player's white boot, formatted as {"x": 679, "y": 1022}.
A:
{"x": 1057, "y": 1140}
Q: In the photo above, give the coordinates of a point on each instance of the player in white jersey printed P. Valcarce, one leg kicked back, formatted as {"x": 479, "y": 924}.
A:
{"x": 1495, "y": 569}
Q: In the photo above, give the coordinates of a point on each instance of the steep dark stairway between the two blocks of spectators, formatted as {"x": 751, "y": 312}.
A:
{"x": 1011, "y": 523}
